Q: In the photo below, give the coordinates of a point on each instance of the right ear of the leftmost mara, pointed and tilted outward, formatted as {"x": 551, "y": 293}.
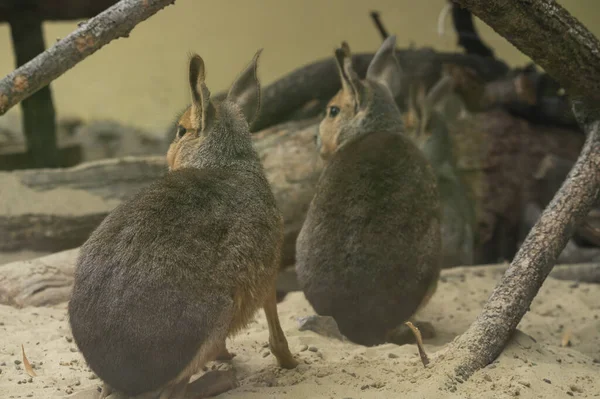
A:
{"x": 245, "y": 91}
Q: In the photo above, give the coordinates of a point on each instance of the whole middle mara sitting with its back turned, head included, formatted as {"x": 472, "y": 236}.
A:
{"x": 368, "y": 252}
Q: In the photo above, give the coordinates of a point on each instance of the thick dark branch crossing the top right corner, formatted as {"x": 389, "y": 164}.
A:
{"x": 572, "y": 58}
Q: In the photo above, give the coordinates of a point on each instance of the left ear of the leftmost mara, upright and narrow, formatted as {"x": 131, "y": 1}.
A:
{"x": 201, "y": 108}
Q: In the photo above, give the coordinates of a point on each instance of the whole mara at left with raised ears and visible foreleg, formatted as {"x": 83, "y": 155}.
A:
{"x": 176, "y": 269}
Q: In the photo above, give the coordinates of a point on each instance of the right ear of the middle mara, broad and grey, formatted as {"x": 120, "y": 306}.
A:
{"x": 384, "y": 67}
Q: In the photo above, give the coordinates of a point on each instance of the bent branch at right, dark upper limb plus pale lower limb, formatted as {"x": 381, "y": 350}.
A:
{"x": 574, "y": 61}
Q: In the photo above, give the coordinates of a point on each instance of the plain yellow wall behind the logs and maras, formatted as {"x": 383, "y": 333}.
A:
{"x": 141, "y": 80}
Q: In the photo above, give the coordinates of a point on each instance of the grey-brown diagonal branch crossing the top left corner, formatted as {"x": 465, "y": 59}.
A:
{"x": 117, "y": 21}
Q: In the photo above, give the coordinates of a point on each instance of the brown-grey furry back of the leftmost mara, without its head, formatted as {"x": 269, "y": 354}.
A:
{"x": 156, "y": 278}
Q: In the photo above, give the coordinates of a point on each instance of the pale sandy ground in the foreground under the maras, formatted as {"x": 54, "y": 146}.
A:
{"x": 534, "y": 365}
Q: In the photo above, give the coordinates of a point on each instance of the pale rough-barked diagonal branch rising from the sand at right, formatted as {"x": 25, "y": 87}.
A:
{"x": 486, "y": 337}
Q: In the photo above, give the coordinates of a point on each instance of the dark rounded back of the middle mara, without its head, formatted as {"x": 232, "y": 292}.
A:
{"x": 375, "y": 232}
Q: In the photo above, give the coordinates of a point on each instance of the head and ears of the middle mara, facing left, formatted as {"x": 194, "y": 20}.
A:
{"x": 362, "y": 106}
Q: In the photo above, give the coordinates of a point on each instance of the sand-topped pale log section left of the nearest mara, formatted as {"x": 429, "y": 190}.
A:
{"x": 56, "y": 209}
